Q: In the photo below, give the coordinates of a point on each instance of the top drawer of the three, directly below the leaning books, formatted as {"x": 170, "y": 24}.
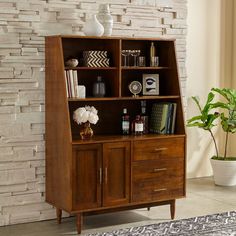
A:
{"x": 158, "y": 149}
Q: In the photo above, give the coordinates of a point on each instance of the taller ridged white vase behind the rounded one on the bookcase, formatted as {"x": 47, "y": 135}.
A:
{"x": 105, "y": 18}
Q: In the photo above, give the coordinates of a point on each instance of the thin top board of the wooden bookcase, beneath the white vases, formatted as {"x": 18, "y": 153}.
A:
{"x": 110, "y": 38}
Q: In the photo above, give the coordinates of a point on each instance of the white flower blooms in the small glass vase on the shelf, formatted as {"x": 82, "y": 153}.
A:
{"x": 86, "y": 114}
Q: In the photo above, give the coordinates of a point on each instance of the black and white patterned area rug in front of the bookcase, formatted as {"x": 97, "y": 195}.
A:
{"x": 222, "y": 224}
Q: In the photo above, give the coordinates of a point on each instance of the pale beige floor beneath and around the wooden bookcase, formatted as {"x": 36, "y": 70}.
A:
{"x": 203, "y": 197}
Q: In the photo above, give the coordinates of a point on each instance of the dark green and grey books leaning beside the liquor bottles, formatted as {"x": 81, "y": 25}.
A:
{"x": 163, "y": 116}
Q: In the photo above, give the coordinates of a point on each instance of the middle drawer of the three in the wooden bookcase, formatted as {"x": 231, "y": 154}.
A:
{"x": 158, "y": 169}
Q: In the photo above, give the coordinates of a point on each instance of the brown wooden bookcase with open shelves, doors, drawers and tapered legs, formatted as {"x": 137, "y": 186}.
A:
{"x": 110, "y": 172}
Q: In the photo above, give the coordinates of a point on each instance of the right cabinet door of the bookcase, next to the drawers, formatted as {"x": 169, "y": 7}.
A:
{"x": 116, "y": 173}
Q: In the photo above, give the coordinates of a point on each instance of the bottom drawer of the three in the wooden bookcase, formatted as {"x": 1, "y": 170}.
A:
{"x": 156, "y": 190}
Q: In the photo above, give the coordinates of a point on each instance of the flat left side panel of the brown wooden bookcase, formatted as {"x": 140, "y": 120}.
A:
{"x": 58, "y": 132}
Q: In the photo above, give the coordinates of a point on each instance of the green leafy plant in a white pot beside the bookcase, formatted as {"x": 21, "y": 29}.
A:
{"x": 224, "y": 167}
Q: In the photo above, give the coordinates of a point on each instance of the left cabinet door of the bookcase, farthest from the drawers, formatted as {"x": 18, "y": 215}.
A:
{"x": 87, "y": 176}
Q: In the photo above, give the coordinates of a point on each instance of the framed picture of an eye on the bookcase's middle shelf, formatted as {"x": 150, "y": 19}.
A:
{"x": 150, "y": 84}
